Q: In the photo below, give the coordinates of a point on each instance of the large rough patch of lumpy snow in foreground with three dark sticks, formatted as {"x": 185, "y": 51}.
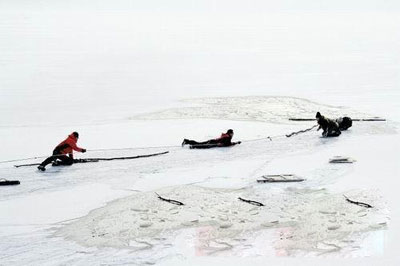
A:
{"x": 301, "y": 219}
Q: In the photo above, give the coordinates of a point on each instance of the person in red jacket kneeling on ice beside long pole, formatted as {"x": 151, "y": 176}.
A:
{"x": 59, "y": 156}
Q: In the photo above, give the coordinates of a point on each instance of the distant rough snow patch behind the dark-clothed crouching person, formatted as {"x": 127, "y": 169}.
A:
{"x": 251, "y": 108}
